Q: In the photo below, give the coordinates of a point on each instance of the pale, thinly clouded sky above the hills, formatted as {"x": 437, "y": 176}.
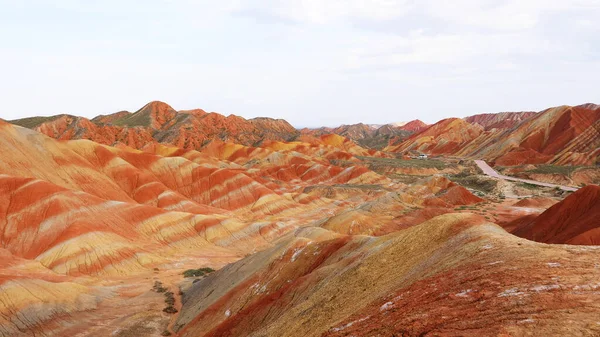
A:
{"x": 311, "y": 62}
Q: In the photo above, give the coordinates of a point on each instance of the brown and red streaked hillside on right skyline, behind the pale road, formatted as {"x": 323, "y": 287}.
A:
{"x": 565, "y": 135}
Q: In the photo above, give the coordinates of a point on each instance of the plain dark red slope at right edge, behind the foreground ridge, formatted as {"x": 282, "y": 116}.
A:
{"x": 575, "y": 220}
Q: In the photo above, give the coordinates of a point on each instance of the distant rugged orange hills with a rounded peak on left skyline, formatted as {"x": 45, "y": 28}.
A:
{"x": 157, "y": 121}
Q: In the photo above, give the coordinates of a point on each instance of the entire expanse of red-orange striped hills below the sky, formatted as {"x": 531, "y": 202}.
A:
{"x": 188, "y": 223}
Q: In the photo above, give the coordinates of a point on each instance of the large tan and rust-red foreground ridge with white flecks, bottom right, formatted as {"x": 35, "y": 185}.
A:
{"x": 367, "y": 286}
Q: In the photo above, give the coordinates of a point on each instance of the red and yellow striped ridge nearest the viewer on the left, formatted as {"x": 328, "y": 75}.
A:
{"x": 73, "y": 233}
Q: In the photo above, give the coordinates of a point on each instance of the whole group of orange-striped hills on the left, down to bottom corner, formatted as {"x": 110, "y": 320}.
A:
{"x": 74, "y": 213}
